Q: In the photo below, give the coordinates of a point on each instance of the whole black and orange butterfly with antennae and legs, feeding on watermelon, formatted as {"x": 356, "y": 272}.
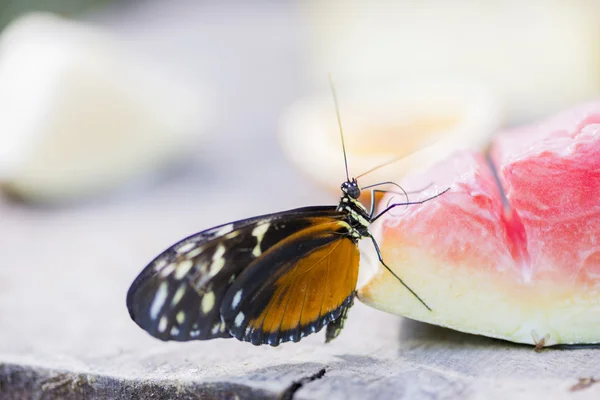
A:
{"x": 265, "y": 280}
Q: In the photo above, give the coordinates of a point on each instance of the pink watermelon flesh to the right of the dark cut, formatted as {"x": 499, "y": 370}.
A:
{"x": 551, "y": 175}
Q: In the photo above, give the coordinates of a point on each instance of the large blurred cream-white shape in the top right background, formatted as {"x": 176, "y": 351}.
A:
{"x": 538, "y": 56}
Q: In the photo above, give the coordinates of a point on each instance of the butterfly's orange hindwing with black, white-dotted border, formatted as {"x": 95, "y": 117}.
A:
{"x": 295, "y": 287}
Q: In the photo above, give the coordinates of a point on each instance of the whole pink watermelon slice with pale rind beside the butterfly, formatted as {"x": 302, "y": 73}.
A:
{"x": 520, "y": 261}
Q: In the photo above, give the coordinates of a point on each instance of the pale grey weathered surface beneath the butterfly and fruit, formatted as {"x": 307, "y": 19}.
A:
{"x": 64, "y": 327}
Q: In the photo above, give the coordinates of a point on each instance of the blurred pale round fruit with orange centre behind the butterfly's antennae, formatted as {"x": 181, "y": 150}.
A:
{"x": 421, "y": 121}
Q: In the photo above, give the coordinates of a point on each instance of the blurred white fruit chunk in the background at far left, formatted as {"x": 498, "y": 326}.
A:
{"x": 80, "y": 114}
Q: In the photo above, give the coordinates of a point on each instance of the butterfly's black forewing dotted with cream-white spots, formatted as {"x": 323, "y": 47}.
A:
{"x": 179, "y": 294}
